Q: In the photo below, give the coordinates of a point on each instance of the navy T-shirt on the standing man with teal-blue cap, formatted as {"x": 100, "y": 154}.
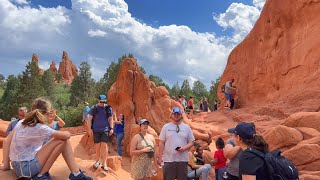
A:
{"x": 100, "y": 123}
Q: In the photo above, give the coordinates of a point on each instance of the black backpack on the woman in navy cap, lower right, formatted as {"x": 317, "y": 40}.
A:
{"x": 279, "y": 167}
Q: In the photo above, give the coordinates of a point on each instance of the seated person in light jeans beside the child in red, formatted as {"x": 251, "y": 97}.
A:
{"x": 195, "y": 171}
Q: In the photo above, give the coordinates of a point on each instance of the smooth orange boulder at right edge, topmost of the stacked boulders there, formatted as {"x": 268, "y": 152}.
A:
{"x": 303, "y": 119}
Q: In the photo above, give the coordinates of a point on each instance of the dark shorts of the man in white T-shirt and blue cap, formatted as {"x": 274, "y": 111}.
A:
{"x": 175, "y": 170}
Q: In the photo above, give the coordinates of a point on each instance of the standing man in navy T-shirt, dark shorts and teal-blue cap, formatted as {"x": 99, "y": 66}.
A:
{"x": 100, "y": 123}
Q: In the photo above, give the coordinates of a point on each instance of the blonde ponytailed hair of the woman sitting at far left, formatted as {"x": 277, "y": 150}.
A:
{"x": 40, "y": 107}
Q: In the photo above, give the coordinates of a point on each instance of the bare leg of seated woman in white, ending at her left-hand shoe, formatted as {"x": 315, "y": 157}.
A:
{"x": 49, "y": 153}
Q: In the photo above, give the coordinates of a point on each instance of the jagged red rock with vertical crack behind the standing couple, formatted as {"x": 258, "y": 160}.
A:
{"x": 135, "y": 96}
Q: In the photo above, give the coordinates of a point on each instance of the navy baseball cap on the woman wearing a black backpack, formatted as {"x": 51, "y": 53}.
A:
{"x": 244, "y": 130}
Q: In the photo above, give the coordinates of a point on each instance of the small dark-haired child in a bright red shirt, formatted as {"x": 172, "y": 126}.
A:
{"x": 219, "y": 161}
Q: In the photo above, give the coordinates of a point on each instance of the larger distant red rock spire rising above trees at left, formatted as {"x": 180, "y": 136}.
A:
{"x": 67, "y": 69}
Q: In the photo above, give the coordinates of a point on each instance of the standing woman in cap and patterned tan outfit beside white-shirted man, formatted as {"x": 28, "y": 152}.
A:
{"x": 142, "y": 152}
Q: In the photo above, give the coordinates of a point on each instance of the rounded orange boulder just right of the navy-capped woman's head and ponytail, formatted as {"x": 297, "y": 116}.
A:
{"x": 282, "y": 136}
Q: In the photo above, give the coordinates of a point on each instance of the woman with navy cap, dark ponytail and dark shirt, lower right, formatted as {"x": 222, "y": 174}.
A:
{"x": 251, "y": 166}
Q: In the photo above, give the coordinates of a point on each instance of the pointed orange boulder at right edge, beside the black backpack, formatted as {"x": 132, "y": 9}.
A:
{"x": 303, "y": 154}
